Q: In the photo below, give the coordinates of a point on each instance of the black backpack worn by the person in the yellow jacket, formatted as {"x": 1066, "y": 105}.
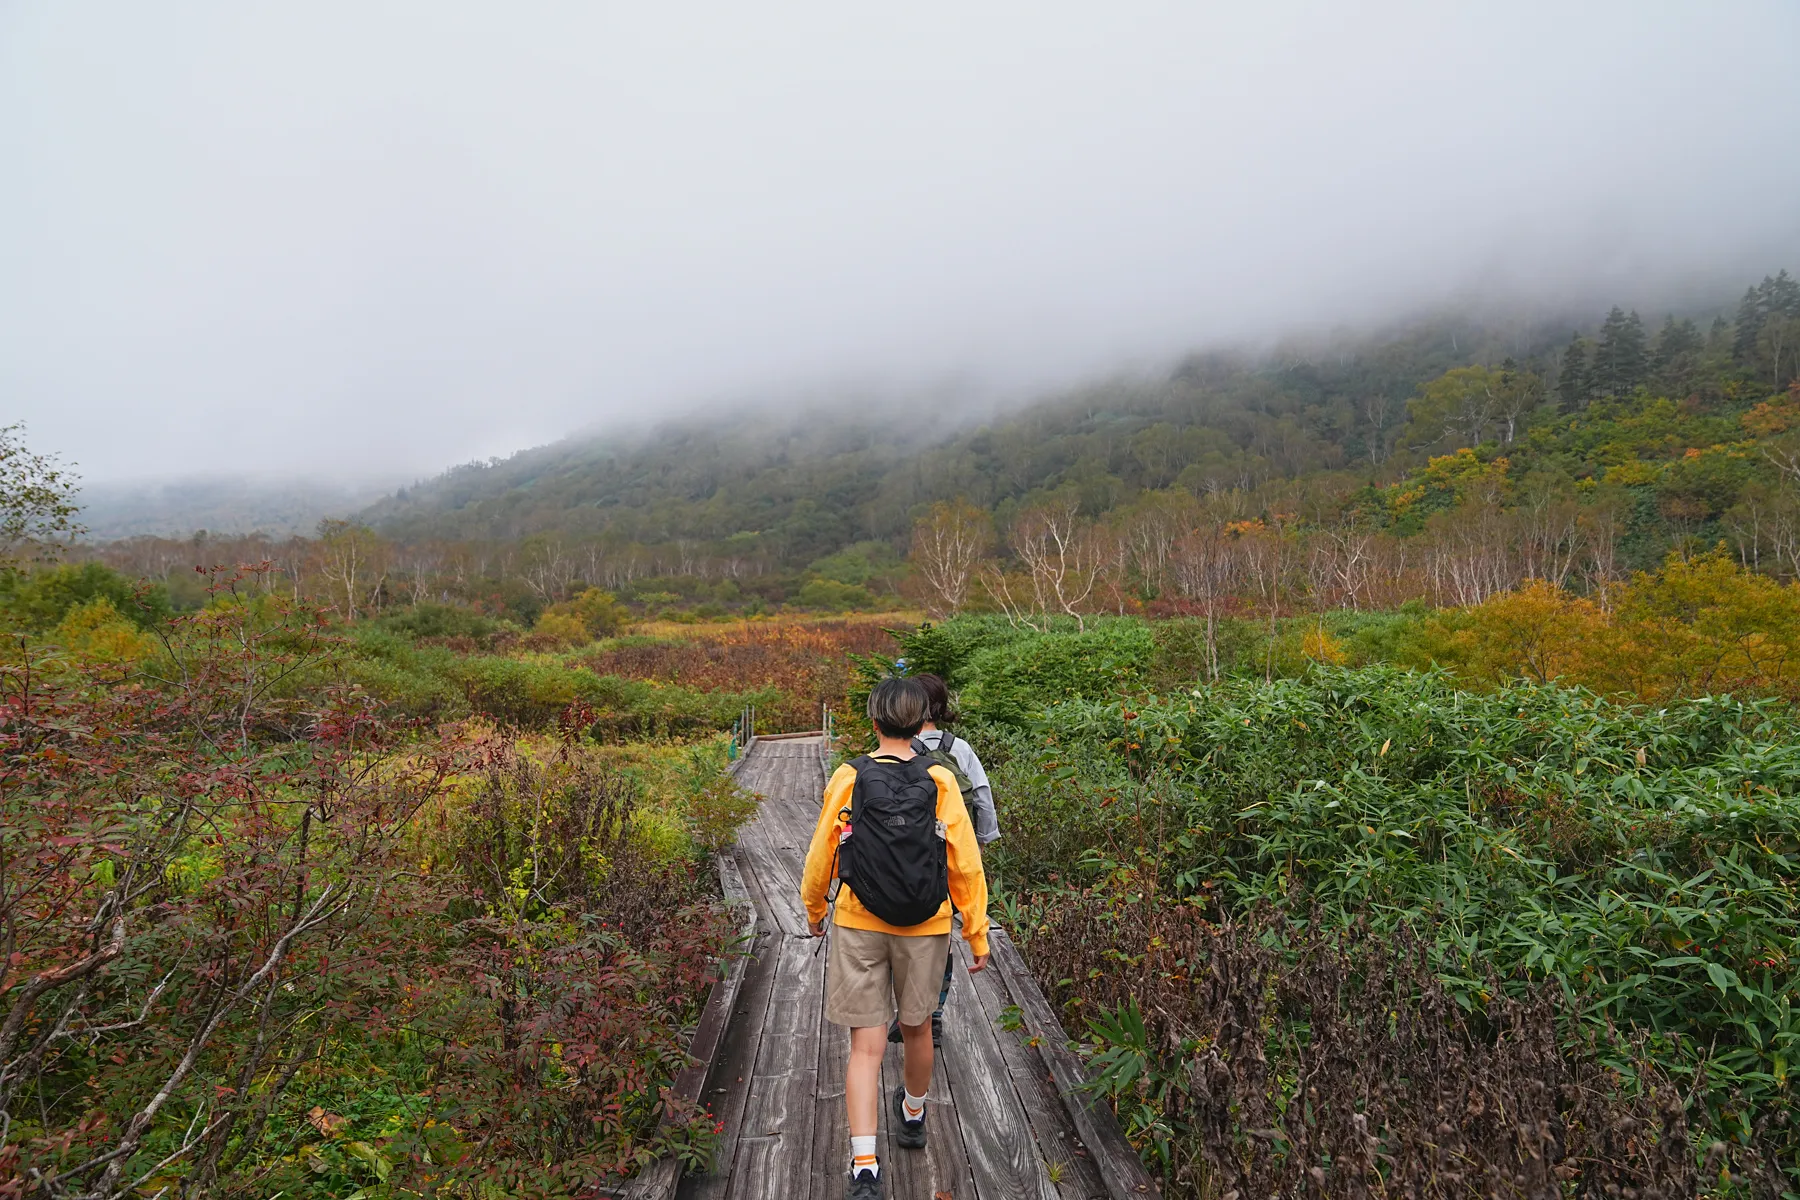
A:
{"x": 895, "y": 859}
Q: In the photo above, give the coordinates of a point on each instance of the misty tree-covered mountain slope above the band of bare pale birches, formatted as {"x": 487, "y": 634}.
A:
{"x": 757, "y": 492}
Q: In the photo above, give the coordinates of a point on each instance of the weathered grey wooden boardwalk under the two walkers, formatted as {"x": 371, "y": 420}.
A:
{"x": 1000, "y": 1125}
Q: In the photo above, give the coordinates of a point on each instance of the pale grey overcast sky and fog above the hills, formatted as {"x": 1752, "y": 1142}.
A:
{"x": 379, "y": 238}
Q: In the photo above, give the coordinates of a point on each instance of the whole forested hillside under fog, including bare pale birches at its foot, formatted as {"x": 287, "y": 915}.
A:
{"x": 1444, "y": 463}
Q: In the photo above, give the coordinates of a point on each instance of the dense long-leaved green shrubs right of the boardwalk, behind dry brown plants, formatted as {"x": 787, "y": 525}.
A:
{"x": 1641, "y": 861}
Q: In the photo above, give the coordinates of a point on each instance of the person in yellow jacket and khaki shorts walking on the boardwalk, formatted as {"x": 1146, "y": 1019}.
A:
{"x": 876, "y": 967}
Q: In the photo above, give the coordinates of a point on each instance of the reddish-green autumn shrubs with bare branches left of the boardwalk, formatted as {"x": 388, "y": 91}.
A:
{"x": 231, "y": 891}
